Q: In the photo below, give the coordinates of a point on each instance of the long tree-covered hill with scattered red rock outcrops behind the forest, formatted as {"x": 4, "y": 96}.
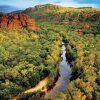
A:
{"x": 81, "y": 20}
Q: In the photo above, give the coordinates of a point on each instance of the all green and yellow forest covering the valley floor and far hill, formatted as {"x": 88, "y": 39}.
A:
{"x": 28, "y": 56}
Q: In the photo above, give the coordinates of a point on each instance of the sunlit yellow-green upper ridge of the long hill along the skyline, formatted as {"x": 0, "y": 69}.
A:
{"x": 52, "y": 9}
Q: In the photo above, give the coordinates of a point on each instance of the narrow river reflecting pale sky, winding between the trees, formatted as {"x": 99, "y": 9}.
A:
{"x": 65, "y": 75}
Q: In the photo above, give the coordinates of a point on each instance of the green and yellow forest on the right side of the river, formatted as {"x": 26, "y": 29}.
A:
{"x": 83, "y": 53}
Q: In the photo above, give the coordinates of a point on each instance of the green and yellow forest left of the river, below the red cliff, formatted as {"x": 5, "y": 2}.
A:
{"x": 26, "y": 57}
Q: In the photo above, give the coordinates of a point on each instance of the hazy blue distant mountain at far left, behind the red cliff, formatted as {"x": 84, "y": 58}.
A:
{"x": 7, "y": 9}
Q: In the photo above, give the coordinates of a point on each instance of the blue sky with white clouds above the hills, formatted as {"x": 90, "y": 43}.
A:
{"x": 22, "y": 4}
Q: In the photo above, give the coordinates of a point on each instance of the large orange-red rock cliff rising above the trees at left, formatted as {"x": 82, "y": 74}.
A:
{"x": 16, "y": 21}
